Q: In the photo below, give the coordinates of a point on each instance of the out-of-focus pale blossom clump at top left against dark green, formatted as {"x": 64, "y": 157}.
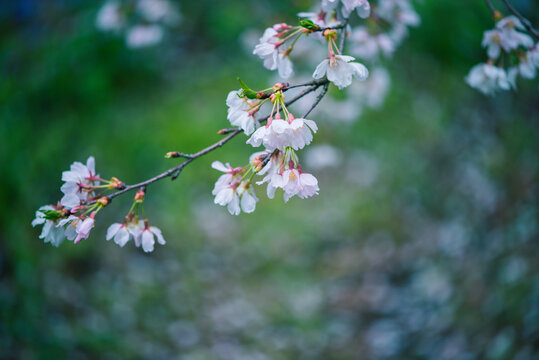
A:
{"x": 142, "y": 22}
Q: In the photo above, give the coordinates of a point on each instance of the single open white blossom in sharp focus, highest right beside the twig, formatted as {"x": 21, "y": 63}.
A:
{"x": 340, "y": 70}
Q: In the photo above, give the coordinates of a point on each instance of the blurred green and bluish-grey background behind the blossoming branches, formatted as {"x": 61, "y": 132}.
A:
{"x": 422, "y": 244}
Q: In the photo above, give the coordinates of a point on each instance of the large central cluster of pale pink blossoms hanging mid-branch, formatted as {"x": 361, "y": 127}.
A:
{"x": 281, "y": 137}
